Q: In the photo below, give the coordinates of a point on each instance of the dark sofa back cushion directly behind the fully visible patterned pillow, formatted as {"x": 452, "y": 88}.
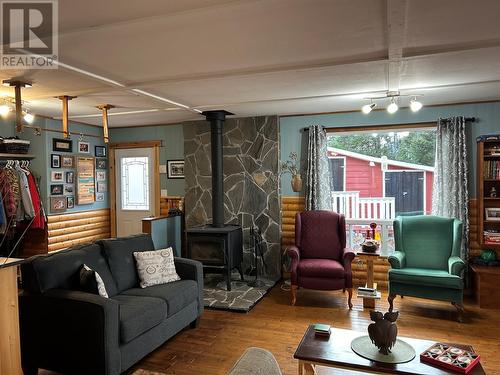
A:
{"x": 119, "y": 252}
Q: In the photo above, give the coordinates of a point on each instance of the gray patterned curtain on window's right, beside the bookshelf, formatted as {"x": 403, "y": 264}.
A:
{"x": 450, "y": 195}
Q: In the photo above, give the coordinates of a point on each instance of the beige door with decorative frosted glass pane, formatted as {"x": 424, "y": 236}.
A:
{"x": 135, "y": 192}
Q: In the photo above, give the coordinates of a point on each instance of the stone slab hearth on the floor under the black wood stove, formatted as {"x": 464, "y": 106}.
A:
{"x": 241, "y": 298}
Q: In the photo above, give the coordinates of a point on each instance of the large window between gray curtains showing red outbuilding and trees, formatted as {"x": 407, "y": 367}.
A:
{"x": 379, "y": 174}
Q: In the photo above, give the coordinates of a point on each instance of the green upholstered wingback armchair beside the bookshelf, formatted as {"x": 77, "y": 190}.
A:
{"x": 426, "y": 262}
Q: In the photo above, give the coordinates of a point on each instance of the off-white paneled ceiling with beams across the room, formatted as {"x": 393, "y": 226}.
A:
{"x": 263, "y": 57}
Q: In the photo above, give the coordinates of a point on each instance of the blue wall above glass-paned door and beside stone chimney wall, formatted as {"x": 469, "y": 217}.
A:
{"x": 172, "y": 137}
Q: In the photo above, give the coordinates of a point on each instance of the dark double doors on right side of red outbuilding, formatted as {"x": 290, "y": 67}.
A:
{"x": 407, "y": 187}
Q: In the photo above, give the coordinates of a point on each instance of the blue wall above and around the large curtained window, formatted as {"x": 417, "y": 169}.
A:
{"x": 487, "y": 113}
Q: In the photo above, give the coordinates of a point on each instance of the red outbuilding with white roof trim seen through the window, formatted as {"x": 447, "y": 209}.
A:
{"x": 409, "y": 184}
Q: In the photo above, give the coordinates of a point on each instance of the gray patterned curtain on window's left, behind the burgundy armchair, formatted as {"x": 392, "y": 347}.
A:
{"x": 318, "y": 194}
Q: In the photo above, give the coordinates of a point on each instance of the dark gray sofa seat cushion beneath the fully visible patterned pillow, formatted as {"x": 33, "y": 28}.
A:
{"x": 177, "y": 294}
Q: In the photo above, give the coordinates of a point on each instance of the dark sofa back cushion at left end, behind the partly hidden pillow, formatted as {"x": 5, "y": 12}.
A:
{"x": 62, "y": 269}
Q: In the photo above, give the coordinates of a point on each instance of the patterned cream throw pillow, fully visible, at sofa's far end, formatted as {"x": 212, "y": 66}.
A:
{"x": 156, "y": 267}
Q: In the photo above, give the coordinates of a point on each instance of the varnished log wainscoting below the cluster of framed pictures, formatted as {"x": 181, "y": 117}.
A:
{"x": 70, "y": 229}
